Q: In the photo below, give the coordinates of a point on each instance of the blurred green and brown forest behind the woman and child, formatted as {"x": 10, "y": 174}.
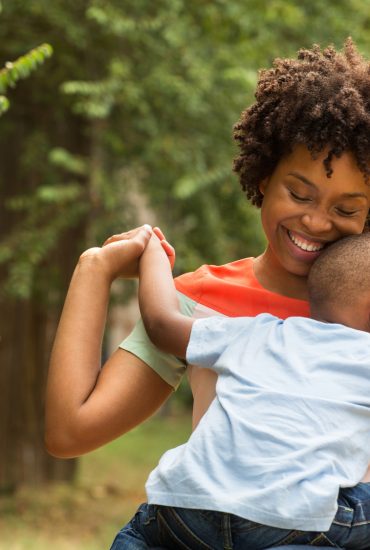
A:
{"x": 120, "y": 112}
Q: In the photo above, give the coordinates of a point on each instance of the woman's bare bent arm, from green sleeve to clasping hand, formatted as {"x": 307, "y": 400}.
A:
{"x": 86, "y": 405}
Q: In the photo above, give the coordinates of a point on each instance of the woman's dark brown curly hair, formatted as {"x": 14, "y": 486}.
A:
{"x": 321, "y": 99}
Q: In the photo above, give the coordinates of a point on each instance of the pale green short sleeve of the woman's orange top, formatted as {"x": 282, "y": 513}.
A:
{"x": 169, "y": 367}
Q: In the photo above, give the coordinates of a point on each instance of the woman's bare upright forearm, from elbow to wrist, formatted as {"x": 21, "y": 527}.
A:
{"x": 76, "y": 356}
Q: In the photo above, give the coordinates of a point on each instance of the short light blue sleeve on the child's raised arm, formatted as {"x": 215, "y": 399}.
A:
{"x": 211, "y": 336}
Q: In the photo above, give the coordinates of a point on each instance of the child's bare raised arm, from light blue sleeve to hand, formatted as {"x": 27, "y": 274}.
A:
{"x": 167, "y": 328}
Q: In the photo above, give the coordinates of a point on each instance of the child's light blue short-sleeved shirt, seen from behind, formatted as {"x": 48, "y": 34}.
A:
{"x": 289, "y": 426}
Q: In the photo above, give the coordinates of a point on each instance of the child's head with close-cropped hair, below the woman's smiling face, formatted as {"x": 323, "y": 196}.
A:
{"x": 339, "y": 283}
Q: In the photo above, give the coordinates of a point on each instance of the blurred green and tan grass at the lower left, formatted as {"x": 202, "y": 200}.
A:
{"x": 107, "y": 491}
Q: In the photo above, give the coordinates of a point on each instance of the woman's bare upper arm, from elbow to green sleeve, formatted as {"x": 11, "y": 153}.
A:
{"x": 127, "y": 392}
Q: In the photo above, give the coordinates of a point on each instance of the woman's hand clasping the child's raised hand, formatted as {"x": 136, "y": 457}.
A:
{"x": 119, "y": 255}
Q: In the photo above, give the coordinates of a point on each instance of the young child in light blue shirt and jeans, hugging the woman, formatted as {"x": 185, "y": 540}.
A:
{"x": 290, "y": 422}
